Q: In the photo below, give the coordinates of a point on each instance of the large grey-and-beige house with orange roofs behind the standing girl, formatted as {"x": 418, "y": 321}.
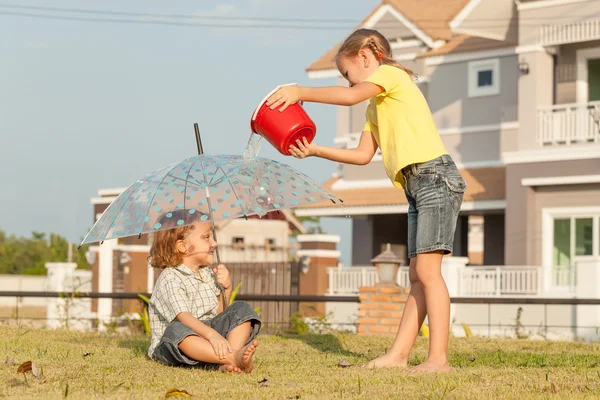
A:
{"x": 514, "y": 87}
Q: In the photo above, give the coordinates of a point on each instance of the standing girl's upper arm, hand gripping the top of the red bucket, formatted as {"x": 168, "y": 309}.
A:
{"x": 338, "y": 95}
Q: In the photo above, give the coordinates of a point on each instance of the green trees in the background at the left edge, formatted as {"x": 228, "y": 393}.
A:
{"x": 28, "y": 256}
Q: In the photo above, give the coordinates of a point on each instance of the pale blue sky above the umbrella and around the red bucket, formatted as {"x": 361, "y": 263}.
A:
{"x": 89, "y": 105}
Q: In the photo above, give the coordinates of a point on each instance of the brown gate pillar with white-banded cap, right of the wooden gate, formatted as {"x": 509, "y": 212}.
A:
{"x": 318, "y": 252}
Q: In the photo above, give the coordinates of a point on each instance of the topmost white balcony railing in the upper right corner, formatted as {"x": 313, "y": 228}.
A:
{"x": 582, "y": 31}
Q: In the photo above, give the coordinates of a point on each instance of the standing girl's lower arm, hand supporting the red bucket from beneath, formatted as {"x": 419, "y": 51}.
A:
{"x": 361, "y": 155}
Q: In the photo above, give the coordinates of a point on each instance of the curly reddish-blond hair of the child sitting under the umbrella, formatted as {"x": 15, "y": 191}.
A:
{"x": 163, "y": 251}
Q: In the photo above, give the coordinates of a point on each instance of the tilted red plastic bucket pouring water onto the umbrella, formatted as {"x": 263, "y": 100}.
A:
{"x": 282, "y": 129}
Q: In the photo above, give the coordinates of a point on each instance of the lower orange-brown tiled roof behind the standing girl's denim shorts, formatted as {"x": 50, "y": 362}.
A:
{"x": 482, "y": 184}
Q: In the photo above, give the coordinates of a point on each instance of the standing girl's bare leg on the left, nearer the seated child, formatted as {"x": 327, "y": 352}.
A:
{"x": 413, "y": 316}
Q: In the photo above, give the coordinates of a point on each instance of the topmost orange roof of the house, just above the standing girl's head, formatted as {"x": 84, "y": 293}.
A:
{"x": 431, "y": 16}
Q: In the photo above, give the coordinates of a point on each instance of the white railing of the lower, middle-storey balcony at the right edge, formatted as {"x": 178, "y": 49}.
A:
{"x": 568, "y": 124}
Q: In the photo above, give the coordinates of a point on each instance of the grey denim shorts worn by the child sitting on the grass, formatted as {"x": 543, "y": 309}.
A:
{"x": 167, "y": 351}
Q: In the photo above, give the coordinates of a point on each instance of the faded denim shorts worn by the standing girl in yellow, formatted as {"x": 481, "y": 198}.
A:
{"x": 435, "y": 191}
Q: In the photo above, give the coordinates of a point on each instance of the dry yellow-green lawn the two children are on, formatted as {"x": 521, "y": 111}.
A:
{"x": 297, "y": 367}
